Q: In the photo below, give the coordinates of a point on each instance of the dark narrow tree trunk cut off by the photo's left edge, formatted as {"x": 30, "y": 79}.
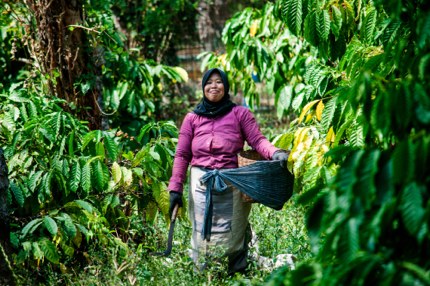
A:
{"x": 6, "y": 275}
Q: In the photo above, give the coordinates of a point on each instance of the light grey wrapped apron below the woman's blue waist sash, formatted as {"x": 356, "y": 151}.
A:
{"x": 229, "y": 224}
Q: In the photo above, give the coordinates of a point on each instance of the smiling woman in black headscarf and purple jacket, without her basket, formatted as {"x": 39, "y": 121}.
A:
{"x": 210, "y": 138}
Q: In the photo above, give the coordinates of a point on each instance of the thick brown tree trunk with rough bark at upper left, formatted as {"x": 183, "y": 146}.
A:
{"x": 60, "y": 48}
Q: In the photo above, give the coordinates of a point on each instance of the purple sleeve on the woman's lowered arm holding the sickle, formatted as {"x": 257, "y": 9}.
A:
{"x": 183, "y": 156}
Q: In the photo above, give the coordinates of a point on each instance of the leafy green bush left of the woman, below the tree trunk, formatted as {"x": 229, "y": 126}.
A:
{"x": 71, "y": 187}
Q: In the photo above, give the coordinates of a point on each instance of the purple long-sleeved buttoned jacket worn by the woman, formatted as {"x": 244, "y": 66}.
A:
{"x": 214, "y": 143}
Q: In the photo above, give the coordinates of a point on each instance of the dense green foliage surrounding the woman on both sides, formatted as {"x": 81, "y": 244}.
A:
{"x": 89, "y": 151}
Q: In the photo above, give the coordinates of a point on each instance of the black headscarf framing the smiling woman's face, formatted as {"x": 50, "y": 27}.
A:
{"x": 213, "y": 109}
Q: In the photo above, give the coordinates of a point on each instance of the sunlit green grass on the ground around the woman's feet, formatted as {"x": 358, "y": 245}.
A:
{"x": 278, "y": 232}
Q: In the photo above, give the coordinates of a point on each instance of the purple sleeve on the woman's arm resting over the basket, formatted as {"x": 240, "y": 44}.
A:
{"x": 251, "y": 132}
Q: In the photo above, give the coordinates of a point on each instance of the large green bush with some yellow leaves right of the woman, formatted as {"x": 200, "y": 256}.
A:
{"x": 360, "y": 139}
